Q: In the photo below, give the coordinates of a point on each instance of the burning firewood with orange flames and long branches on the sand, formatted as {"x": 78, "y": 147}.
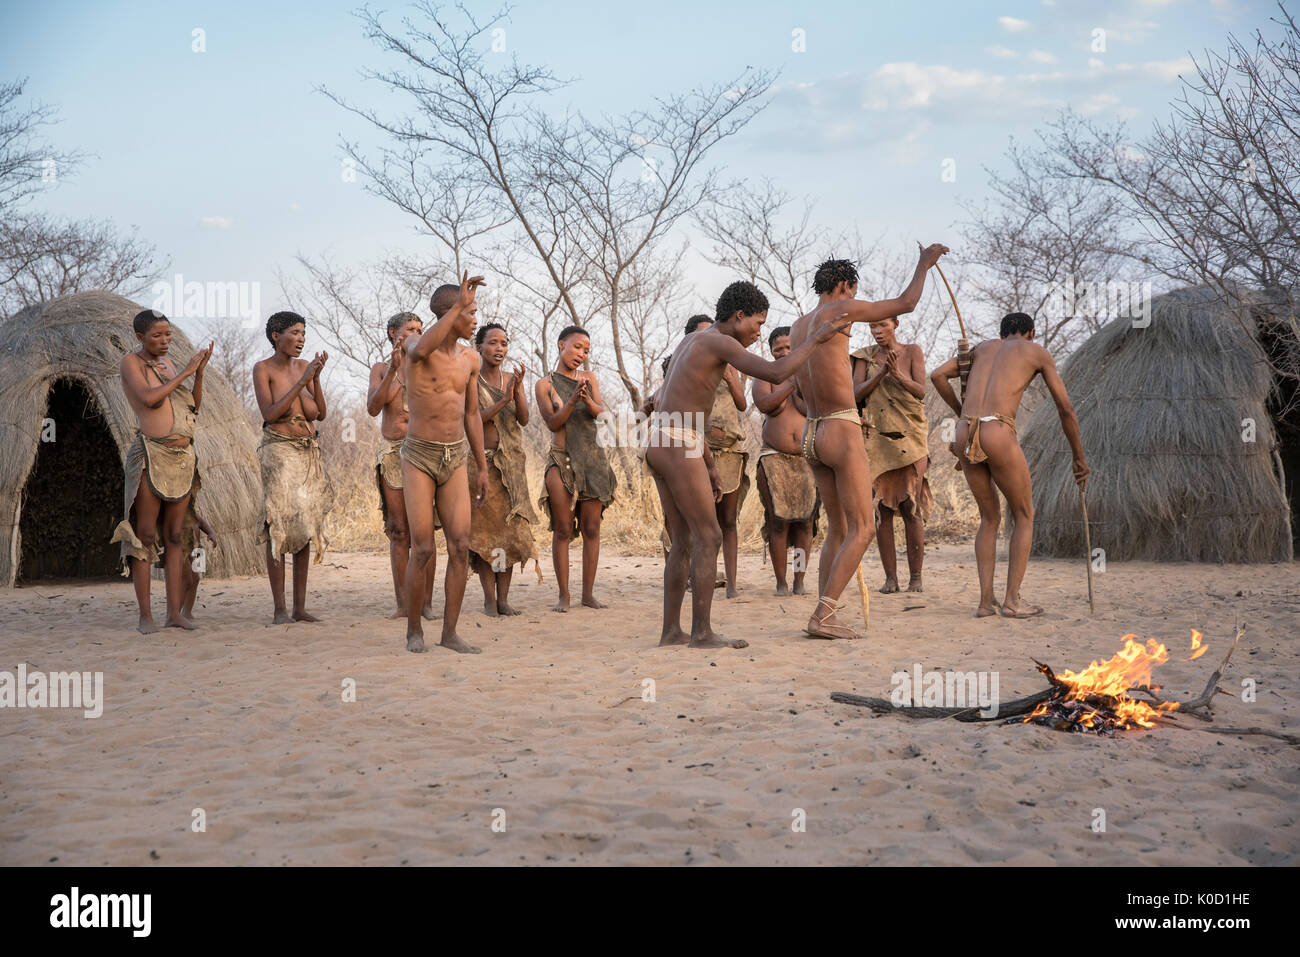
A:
{"x": 1099, "y": 700}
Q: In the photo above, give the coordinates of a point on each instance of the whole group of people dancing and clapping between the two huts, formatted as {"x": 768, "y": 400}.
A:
{"x": 452, "y": 456}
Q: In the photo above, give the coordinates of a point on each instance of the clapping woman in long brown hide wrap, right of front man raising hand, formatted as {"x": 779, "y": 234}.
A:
{"x": 501, "y": 531}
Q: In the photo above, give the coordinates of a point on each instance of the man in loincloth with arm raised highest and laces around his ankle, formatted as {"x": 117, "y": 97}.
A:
{"x": 833, "y": 436}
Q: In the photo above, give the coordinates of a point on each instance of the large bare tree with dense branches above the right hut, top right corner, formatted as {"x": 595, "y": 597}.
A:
{"x": 1217, "y": 187}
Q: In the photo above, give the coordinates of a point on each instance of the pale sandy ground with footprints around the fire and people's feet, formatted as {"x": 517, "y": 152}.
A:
{"x": 548, "y": 730}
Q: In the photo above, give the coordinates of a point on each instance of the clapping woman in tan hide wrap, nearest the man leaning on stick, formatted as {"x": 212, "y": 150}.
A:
{"x": 890, "y": 382}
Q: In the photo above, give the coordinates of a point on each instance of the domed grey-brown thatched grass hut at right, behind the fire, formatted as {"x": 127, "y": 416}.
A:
{"x": 1168, "y": 415}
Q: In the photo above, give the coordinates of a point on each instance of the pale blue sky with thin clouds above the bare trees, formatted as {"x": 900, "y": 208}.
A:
{"x": 229, "y": 162}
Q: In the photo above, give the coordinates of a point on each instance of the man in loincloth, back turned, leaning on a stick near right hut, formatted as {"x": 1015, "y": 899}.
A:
{"x": 990, "y": 454}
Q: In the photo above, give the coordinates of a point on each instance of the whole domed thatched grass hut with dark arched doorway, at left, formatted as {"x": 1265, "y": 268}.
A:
{"x": 60, "y": 500}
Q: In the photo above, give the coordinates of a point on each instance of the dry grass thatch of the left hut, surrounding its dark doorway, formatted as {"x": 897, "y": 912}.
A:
{"x": 83, "y": 339}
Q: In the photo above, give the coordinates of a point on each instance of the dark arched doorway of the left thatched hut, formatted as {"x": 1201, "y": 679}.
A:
{"x": 73, "y": 499}
